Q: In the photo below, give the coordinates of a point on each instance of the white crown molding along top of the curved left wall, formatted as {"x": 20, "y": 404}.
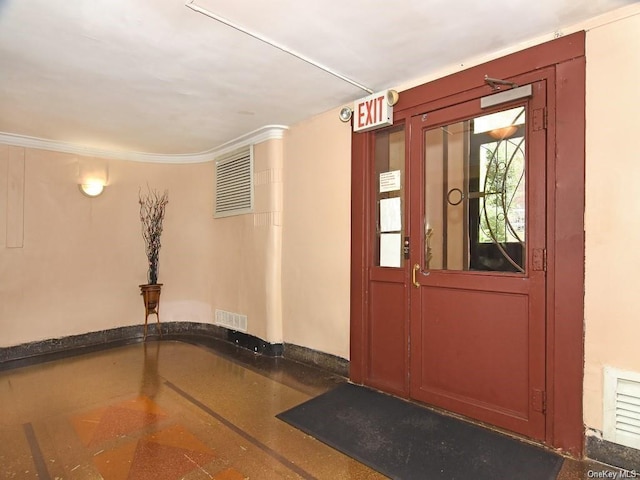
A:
{"x": 262, "y": 134}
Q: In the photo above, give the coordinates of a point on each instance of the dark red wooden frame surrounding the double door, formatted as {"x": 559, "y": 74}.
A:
{"x": 565, "y": 228}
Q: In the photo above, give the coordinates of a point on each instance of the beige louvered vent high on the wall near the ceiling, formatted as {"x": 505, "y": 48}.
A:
{"x": 234, "y": 183}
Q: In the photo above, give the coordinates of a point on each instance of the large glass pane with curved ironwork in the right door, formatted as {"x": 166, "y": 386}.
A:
{"x": 475, "y": 197}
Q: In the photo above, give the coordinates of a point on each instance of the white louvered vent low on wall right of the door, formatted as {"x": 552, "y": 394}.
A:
{"x": 622, "y": 407}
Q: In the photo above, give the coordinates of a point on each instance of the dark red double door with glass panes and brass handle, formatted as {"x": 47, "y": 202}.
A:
{"x": 455, "y": 284}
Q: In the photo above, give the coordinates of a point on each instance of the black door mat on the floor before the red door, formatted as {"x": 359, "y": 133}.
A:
{"x": 405, "y": 441}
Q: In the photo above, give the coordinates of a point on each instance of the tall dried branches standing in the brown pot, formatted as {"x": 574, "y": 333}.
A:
{"x": 152, "y": 208}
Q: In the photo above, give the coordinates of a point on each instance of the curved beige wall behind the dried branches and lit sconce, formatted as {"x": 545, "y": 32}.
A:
{"x": 79, "y": 260}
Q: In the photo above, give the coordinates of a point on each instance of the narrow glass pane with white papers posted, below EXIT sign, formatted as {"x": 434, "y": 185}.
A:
{"x": 389, "y": 187}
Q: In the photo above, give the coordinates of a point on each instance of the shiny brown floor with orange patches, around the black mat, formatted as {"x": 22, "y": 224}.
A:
{"x": 171, "y": 410}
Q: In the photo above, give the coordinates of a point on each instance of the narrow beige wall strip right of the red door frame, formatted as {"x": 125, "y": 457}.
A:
{"x": 612, "y": 207}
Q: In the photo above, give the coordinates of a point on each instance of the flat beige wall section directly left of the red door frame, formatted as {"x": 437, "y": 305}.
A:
{"x": 316, "y": 235}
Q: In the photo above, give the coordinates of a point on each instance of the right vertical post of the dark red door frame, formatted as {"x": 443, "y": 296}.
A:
{"x": 568, "y": 324}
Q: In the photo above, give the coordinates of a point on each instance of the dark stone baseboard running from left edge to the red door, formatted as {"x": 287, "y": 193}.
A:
{"x": 52, "y": 349}
